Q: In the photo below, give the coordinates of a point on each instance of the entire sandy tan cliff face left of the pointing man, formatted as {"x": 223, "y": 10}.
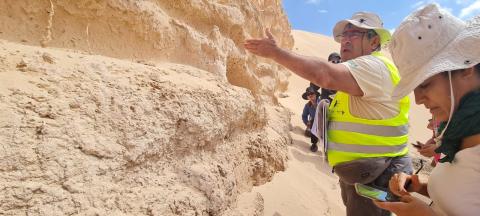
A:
{"x": 137, "y": 107}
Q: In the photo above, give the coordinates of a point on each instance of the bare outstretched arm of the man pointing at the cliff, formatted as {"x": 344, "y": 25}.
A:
{"x": 318, "y": 71}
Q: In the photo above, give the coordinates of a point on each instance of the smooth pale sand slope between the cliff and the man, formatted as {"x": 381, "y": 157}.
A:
{"x": 307, "y": 187}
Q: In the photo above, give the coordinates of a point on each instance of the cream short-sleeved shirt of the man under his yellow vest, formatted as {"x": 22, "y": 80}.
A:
{"x": 373, "y": 77}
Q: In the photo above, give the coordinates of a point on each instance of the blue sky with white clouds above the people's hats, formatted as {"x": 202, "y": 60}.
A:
{"x": 321, "y": 15}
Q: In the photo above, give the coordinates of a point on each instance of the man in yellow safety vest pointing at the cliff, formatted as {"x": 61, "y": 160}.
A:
{"x": 368, "y": 130}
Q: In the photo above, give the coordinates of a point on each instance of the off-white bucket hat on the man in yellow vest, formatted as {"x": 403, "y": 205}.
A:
{"x": 365, "y": 20}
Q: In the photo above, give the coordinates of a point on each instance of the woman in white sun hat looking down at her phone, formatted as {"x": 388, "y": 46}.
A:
{"x": 438, "y": 56}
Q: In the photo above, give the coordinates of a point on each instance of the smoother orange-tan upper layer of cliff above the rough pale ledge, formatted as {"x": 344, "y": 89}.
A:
{"x": 205, "y": 34}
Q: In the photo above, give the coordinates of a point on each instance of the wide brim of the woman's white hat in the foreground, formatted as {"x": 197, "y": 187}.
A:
{"x": 462, "y": 52}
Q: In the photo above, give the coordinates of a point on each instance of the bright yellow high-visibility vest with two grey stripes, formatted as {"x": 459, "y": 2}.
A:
{"x": 351, "y": 138}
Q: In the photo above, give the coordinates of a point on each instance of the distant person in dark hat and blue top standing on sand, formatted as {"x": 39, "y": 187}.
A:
{"x": 308, "y": 115}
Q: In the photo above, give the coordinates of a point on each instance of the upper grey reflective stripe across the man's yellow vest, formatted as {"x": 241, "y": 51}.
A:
{"x": 378, "y": 130}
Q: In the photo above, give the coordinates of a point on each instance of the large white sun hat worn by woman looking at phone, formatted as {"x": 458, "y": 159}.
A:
{"x": 431, "y": 41}
